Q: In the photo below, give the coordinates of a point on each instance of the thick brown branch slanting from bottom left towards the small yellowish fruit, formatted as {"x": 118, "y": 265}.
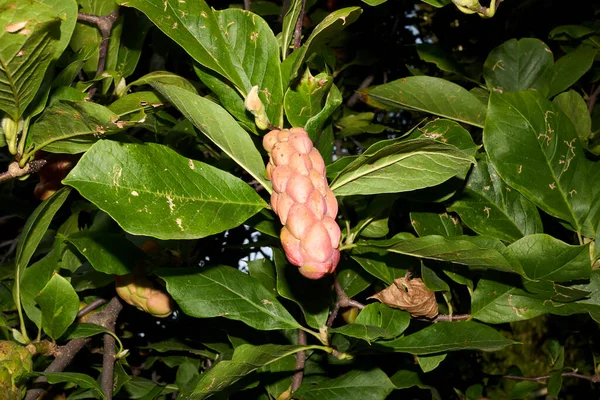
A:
{"x": 64, "y": 355}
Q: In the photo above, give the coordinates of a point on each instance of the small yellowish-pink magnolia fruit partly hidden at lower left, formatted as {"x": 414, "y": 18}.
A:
{"x": 141, "y": 293}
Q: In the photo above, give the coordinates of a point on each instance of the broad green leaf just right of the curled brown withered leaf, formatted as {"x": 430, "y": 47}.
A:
{"x": 499, "y": 299}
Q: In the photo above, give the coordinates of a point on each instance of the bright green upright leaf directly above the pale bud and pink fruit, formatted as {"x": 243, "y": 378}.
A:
{"x": 253, "y": 43}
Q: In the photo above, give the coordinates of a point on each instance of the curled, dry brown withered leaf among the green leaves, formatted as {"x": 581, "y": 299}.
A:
{"x": 409, "y": 295}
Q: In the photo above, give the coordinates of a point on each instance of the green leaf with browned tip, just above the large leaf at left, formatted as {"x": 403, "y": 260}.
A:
{"x": 68, "y": 127}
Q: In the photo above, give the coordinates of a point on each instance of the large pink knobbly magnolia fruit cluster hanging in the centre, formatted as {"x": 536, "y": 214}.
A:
{"x": 303, "y": 201}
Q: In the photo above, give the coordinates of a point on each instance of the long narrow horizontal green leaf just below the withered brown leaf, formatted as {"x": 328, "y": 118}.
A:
{"x": 450, "y": 336}
